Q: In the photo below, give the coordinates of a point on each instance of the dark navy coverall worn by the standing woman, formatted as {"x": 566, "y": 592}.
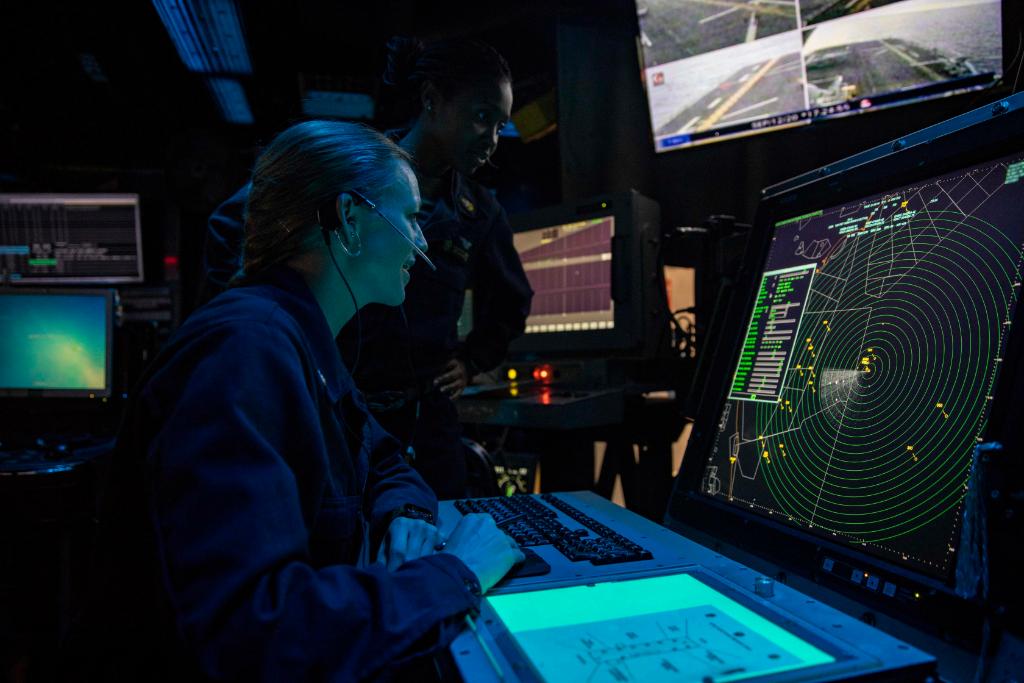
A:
{"x": 471, "y": 241}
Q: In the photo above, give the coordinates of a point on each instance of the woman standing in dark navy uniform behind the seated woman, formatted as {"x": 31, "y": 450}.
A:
{"x": 411, "y": 362}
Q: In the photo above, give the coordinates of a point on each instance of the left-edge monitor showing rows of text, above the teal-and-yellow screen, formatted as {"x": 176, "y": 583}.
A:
{"x": 70, "y": 239}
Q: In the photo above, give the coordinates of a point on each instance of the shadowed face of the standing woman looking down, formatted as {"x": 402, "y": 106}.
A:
{"x": 468, "y": 123}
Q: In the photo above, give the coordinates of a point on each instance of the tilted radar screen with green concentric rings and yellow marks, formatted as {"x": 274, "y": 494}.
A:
{"x": 870, "y": 362}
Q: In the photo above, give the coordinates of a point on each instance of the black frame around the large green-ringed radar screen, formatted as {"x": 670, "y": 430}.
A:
{"x": 961, "y": 143}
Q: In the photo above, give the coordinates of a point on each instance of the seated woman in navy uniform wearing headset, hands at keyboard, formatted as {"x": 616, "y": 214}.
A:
{"x": 261, "y": 525}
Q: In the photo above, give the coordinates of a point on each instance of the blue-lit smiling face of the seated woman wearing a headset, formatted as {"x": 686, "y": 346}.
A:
{"x": 387, "y": 255}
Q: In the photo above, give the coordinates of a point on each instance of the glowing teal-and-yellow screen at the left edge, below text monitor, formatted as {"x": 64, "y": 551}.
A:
{"x": 56, "y": 345}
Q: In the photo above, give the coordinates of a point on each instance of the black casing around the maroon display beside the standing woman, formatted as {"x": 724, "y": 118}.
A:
{"x": 635, "y": 243}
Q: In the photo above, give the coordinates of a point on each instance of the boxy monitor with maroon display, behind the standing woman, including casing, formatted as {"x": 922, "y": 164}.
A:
{"x": 591, "y": 267}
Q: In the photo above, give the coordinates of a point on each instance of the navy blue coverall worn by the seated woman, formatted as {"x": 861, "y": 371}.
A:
{"x": 246, "y": 473}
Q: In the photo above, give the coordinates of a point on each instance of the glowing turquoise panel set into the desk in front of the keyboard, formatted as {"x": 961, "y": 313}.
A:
{"x": 650, "y": 630}
